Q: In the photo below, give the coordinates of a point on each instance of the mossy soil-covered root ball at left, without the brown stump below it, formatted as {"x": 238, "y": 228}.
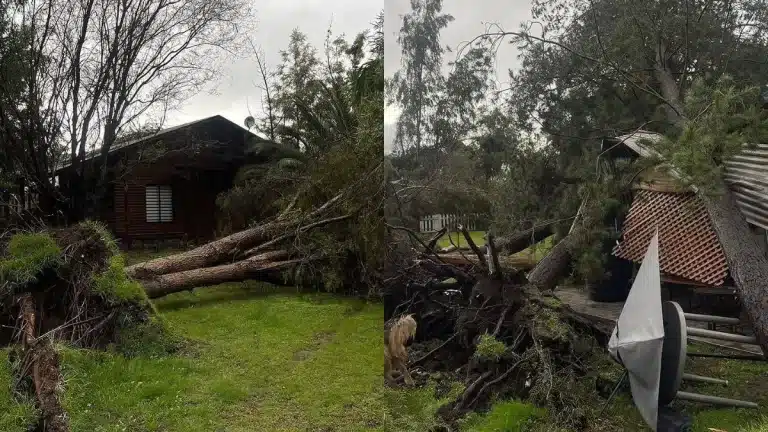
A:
{"x": 76, "y": 279}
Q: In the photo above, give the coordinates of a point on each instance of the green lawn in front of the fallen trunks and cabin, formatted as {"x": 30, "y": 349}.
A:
{"x": 272, "y": 362}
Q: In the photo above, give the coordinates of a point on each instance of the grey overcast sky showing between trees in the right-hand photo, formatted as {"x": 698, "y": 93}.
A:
{"x": 470, "y": 20}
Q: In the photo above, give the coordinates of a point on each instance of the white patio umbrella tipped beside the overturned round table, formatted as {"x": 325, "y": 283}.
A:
{"x": 637, "y": 340}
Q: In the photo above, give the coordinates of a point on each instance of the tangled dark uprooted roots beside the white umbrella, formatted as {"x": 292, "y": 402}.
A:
{"x": 502, "y": 337}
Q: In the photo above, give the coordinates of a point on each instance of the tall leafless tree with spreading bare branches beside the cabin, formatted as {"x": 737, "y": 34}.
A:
{"x": 98, "y": 67}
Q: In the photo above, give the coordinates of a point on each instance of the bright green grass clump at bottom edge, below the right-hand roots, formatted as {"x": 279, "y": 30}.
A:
{"x": 506, "y": 416}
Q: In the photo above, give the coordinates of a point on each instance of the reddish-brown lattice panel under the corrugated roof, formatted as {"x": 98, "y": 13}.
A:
{"x": 688, "y": 245}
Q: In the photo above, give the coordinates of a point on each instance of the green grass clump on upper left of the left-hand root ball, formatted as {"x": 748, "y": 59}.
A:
{"x": 27, "y": 256}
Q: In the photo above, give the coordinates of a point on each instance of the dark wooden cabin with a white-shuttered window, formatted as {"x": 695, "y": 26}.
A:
{"x": 164, "y": 186}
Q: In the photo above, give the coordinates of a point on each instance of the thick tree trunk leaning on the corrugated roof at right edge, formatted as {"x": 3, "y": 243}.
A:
{"x": 746, "y": 261}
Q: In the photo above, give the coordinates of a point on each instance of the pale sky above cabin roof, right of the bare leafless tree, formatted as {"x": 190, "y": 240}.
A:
{"x": 235, "y": 91}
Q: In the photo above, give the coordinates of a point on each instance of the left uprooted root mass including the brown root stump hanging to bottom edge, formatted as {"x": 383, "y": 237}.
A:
{"x": 66, "y": 286}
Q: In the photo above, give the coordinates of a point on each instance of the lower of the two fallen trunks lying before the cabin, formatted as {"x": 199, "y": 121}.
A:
{"x": 265, "y": 267}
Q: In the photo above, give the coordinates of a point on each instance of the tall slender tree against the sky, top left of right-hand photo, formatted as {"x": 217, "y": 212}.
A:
{"x": 415, "y": 87}
